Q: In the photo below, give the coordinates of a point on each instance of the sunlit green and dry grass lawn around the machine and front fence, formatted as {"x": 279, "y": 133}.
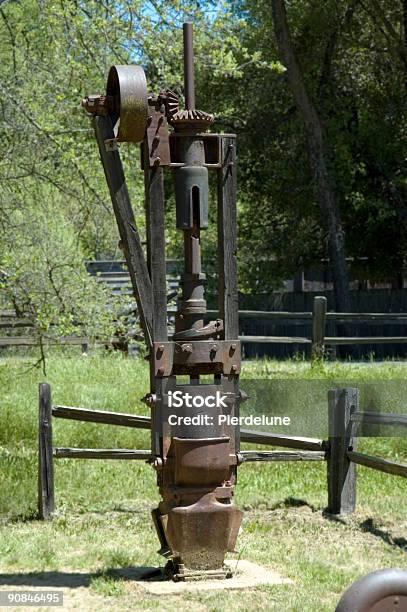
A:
{"x": 102, "y": 529}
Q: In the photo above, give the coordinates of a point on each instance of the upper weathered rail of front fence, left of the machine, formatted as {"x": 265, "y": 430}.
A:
{"x": 101, "y": 416}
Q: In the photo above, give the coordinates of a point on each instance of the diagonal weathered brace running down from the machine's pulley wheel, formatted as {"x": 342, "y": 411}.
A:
{"x": 129, "y": 235}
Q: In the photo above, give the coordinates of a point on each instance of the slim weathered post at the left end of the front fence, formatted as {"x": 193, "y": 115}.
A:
{"x": 46, "y": 503}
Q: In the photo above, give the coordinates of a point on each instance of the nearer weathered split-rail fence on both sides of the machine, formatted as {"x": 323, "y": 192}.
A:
{"x": 340, "y": 450}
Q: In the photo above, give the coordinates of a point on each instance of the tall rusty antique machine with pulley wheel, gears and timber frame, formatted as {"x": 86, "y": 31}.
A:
{"x": 194, "y": 445}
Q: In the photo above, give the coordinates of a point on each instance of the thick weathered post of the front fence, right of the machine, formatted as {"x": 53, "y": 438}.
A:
{"x": 341, "y": 472}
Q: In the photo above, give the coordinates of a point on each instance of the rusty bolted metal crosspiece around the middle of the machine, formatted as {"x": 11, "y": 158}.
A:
{"x": 211, "y": 357}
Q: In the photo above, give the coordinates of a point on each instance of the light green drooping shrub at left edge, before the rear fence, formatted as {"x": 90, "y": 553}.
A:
{"x": 46, "y": 281}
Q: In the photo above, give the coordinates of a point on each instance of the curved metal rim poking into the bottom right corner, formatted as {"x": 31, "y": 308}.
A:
{"x": 382, "y": 591}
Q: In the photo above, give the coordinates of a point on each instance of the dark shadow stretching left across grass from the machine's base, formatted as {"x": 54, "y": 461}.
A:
{"x": 74, "y": 580}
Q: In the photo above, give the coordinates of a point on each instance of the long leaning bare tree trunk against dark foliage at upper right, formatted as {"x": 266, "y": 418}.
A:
{"x": 324, "y": 181}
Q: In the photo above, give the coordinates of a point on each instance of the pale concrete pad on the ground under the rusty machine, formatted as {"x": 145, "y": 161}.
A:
{"x": 245, "y": 575}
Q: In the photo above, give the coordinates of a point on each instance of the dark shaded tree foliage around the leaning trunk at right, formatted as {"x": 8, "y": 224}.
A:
{"x": 351, "y": 55}
